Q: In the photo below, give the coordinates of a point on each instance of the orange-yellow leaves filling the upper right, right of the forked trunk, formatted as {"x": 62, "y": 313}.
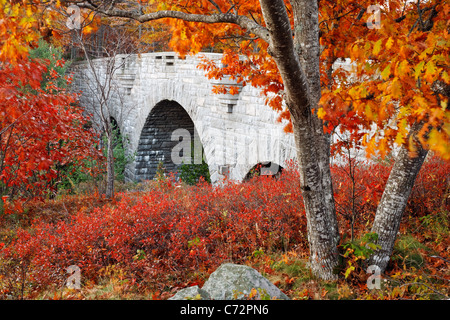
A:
{"x": 392, "y": 82}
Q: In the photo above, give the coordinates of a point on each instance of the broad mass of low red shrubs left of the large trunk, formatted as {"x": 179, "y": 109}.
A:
{"x": 166, "y": 231}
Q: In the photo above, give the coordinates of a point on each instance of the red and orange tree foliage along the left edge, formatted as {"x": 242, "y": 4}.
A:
{"x": 41, "y": 126}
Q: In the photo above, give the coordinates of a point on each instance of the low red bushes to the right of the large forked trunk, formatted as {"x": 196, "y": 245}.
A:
{"x": 429, "y": 195}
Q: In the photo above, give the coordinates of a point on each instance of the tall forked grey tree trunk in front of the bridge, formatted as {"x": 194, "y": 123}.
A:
{"x": 299, "y": 67}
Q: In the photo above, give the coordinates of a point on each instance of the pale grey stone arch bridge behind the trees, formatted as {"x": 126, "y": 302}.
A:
{"x": 164, "y": 105}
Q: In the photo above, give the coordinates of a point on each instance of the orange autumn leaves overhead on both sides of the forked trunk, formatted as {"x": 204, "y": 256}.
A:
{"x": 389, "y": 87}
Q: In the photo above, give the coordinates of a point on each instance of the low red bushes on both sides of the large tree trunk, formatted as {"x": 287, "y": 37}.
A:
{"x": 173, "y": 231}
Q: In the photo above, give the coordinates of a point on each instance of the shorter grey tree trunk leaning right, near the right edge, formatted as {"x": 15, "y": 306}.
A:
{"x": 393, "y": 202}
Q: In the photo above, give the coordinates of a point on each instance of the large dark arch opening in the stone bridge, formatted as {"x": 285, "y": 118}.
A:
{"x": 168, "y": 139}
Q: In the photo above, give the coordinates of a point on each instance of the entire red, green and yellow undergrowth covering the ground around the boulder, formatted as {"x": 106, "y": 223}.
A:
{"x": 160, "y": 236}
